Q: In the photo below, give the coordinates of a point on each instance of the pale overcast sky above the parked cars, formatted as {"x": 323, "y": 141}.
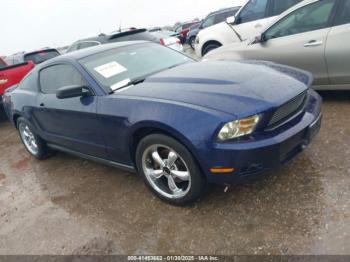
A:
{"x": 27, "y": 25}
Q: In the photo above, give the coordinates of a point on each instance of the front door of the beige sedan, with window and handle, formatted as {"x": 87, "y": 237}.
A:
{"x": 299, "y": 40}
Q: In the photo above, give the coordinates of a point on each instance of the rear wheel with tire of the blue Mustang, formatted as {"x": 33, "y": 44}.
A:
{"x": 32, "y": 142}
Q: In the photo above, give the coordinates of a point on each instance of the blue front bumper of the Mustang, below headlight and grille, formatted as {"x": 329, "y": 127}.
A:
{"x": 252, "y": 158}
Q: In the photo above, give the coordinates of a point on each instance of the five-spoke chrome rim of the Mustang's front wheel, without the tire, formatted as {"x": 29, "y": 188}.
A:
{"x": 166, "y": 171}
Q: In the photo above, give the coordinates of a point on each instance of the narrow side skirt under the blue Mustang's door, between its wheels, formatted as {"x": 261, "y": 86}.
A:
{"x": 95, "y": 159}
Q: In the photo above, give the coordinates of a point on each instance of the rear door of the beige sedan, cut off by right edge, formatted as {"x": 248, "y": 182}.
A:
{"x": 338, "y": 47}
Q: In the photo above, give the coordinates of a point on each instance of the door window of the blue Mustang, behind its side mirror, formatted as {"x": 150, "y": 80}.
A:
{"x": 54, "y": 77}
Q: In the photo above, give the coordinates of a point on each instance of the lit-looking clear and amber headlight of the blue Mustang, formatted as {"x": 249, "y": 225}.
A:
{"x": 238, "y": 128}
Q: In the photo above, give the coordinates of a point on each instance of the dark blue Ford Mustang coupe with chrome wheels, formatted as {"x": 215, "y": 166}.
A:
{"x": 179, "y": 123}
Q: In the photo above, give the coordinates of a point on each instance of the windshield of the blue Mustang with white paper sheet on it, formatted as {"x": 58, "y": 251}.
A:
{"x": 116, "y": 68}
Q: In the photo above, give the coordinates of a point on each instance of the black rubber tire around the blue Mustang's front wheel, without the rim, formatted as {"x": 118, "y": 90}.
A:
{"x": 198, "y": 181}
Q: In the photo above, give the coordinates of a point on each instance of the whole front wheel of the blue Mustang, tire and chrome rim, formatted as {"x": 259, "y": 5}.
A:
{"x": 169, "y": 170}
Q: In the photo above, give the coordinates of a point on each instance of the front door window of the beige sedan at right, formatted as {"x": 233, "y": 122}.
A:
{"x": 309, "y": 18}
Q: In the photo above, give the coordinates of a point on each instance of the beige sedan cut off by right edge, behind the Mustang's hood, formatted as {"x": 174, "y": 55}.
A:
{"x": 314, "y": 36}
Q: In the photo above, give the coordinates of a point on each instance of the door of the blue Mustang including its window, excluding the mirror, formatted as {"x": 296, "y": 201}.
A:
{"x": 70, "y": 123}
